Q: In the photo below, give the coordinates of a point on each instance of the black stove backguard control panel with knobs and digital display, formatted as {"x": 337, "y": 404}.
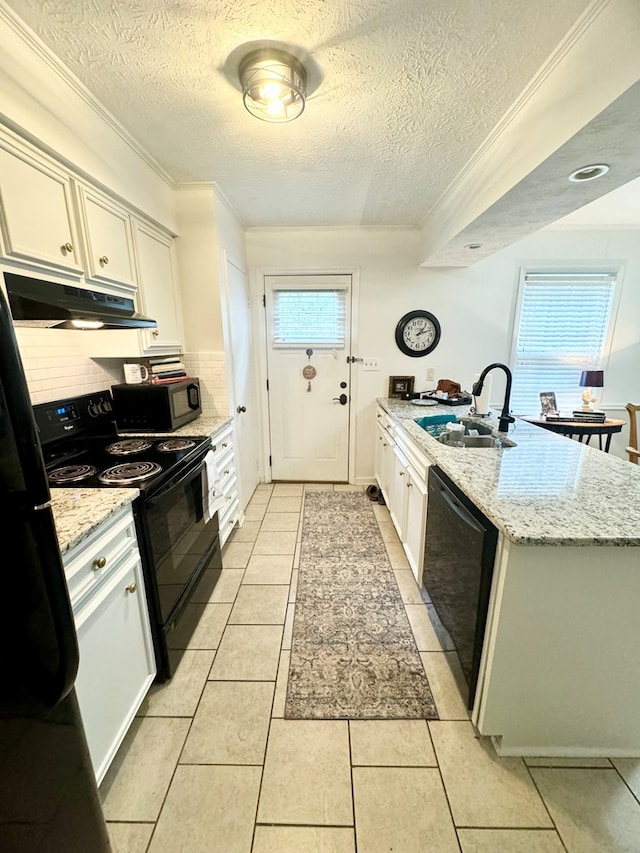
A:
{"x": 86, "y": 414}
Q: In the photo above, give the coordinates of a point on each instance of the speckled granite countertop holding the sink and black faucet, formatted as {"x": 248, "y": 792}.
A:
{"x": 547, "y": 490}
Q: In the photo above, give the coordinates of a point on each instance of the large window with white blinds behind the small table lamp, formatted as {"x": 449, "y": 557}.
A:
{"x": 562, "y": 330}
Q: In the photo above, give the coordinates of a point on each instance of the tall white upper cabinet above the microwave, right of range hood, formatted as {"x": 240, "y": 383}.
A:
{"x": 157, "y": 295}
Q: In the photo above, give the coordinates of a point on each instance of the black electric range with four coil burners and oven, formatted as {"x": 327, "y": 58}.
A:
{"x": 178, "y": 537}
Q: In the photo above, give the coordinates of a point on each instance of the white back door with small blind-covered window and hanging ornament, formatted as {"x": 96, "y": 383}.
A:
{"x": 308, "y": 344}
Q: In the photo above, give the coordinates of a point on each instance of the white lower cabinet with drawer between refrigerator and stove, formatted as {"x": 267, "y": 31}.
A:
{"x": 117, "y": 664}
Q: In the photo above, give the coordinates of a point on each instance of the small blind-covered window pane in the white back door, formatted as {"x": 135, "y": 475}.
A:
{"x": 309, "y": 317}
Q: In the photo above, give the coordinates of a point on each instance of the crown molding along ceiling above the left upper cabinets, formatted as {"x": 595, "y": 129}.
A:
{"x": 55, "y": 65}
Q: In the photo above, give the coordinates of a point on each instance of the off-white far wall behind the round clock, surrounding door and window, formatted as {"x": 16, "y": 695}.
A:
{"x": 475, "y": 306}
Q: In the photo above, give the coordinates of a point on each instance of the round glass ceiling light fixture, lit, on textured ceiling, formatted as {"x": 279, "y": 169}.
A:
{"x": 273, "y": 85}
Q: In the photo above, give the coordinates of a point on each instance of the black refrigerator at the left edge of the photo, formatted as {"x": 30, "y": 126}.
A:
{"x": 48, "y": 796}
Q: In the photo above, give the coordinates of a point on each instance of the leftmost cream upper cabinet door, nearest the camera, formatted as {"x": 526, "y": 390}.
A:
{"x": 37, "y": 224}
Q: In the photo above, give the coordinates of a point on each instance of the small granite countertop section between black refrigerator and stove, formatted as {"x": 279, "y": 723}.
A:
{"x": 78, "y": 512}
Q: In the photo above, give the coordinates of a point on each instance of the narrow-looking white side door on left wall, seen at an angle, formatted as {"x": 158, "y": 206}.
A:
{"x": 242, "y": 392}
